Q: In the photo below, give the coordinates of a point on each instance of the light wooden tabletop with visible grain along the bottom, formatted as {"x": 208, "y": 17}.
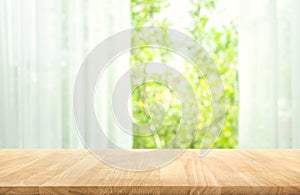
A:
{"x": 220, "y": 172}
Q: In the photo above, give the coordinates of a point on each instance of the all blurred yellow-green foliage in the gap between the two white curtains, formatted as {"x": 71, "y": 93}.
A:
{"x": 221, "y": 42}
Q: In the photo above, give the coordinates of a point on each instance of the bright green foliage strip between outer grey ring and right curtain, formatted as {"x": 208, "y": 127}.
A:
{"x": 221, "y": 42}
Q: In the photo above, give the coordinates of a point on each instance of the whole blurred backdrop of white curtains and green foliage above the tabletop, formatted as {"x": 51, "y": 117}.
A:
{"x": 255, "y": 45}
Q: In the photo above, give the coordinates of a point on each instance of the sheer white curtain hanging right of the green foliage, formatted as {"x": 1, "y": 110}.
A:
{"x": 269, "y": 69}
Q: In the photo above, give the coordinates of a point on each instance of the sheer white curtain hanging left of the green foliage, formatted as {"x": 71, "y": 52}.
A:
{"x": 42, "y": 44}
